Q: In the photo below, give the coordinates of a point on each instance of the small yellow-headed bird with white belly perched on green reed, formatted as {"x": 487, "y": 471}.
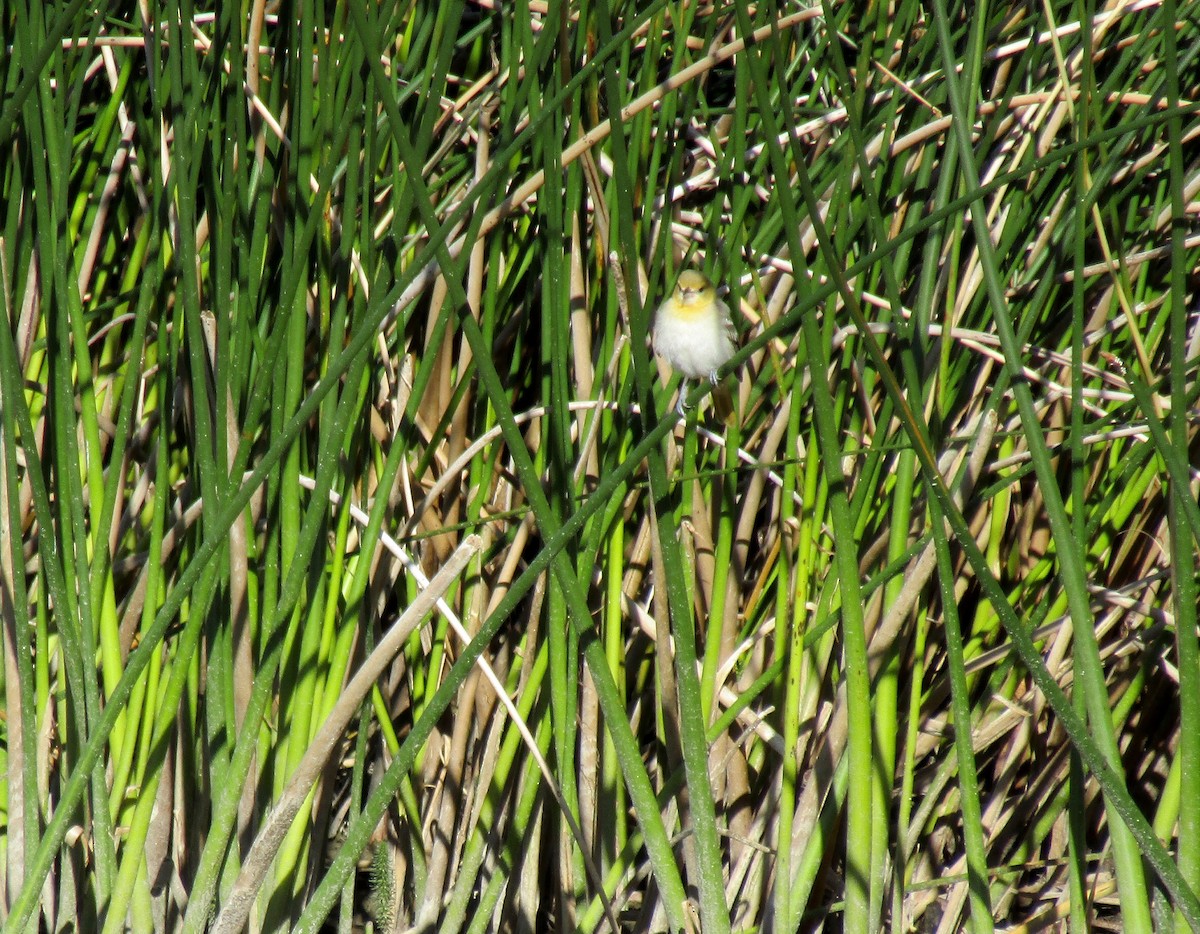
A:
{"x": 694, "y": 331}
